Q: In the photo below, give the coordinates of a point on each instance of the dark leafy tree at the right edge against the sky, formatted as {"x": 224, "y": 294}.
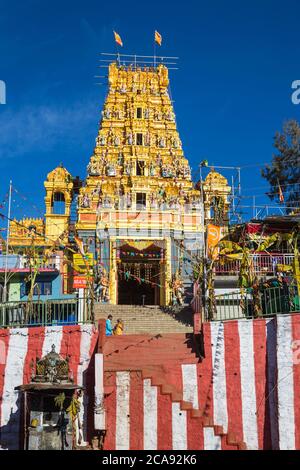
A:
{"x": 284, "y": 172}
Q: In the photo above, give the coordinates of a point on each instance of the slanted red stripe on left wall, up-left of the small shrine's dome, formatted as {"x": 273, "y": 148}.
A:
{"x": 36, "y": 338}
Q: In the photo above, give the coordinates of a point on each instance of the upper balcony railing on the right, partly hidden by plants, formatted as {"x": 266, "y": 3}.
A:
{"x": 262, "y": 264}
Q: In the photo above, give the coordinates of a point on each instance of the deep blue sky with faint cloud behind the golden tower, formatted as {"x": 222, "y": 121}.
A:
{"x": 232, "y": 90}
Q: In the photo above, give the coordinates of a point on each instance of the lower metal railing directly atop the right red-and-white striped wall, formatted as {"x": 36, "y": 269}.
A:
{"x": 248, "y": 304}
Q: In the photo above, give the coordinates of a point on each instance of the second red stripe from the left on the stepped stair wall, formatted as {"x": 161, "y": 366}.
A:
{"x": 136, "y": 411}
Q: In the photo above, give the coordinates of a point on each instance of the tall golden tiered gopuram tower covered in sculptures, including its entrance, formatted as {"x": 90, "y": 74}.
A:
{"x": 139, "y": 213}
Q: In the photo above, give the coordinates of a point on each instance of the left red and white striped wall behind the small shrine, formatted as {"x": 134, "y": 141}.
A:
{"x": 19, "y": 347}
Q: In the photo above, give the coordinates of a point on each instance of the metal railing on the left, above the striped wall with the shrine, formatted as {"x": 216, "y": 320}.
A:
{"x": 46, "y": 313}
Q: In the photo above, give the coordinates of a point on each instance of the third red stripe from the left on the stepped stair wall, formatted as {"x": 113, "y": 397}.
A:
{"x": 164, "y": 421}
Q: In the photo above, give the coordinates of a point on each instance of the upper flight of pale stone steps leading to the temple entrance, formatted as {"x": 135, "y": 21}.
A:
{"x": 148, "y": 319}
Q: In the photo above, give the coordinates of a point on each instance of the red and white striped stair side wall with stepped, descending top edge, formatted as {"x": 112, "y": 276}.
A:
{"x": 139, "y": 416}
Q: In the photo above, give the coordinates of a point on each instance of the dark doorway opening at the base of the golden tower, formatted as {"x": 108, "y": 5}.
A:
{"x": 139, "y": 275}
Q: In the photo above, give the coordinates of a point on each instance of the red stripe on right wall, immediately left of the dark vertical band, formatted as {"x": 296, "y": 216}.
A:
{"x": 261, "y": 385}
